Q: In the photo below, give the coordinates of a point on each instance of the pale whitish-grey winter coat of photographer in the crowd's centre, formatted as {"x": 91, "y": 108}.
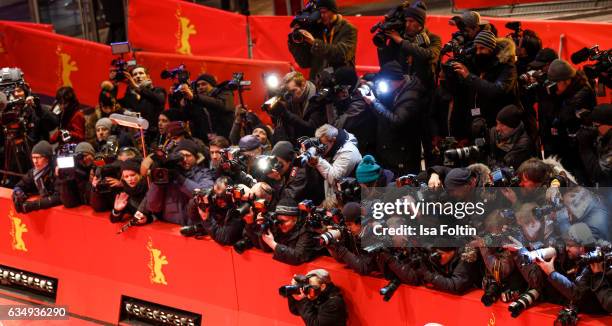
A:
{"x": 343, "y": 159}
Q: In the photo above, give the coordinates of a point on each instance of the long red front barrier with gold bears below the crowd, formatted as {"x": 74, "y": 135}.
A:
{"x": 95, "y": 267}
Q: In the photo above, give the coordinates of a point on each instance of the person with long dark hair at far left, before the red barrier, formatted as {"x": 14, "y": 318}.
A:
{"x": 67, "y": 107}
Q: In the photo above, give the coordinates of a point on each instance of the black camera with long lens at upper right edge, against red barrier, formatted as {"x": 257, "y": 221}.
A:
{"x": 601, "y": 69}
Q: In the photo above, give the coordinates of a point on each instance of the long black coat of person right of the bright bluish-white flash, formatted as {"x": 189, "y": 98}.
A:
{"x": 398, "y": 138}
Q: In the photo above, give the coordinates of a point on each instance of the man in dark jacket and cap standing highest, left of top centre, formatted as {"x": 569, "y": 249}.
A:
{"x": 332, "y": 43}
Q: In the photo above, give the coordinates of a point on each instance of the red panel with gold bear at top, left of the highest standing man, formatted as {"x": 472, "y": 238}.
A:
{"x": 185, "y": 28}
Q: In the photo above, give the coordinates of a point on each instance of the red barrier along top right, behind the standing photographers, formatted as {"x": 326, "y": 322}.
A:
{"x": 270, "y": 35}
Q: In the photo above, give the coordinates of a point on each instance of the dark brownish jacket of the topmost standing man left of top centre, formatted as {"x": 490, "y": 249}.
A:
{"x": 339, "y": 52}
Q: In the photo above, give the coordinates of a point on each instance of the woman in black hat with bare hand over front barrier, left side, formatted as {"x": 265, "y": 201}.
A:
{"x": 133, "y": 192}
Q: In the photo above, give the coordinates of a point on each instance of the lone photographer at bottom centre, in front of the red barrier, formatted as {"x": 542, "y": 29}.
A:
{"x": 319, "y": 302}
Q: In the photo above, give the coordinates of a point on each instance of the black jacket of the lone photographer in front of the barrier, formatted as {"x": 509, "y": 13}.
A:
{"x": 328, "y": 309}
